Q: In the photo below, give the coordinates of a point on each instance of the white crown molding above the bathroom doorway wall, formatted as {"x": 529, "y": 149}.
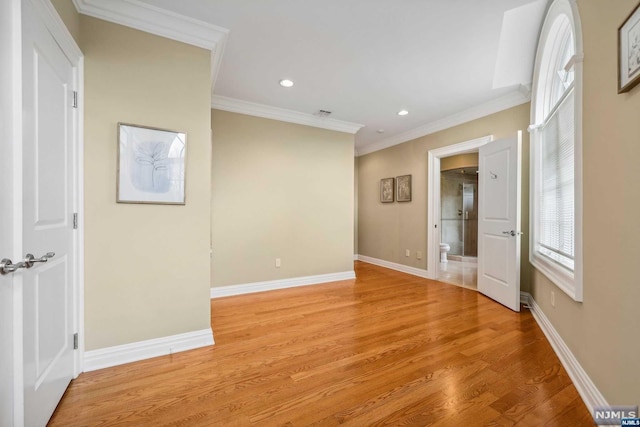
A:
{"x": 520, "y": 96}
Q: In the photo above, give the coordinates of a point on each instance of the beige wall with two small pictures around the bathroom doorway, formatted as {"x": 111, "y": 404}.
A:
{"x": 385, "y": 230}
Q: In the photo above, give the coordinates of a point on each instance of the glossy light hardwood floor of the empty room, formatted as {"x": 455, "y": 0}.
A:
{"x": 384, "y": 349}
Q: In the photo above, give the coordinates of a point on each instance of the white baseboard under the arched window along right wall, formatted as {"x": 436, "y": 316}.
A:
{"x": 586, "y": 388}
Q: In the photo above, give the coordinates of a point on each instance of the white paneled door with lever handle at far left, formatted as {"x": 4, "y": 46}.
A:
{"x": 48, "y": 196}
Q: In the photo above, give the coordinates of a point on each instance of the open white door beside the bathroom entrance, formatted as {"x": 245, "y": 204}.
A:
{"x": 499, "y": 221}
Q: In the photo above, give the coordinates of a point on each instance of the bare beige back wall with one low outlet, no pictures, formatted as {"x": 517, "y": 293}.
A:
{"x": 280, "y": 190}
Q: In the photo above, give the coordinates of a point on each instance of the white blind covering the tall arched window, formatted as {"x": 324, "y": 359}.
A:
{"x": 555, "y": 236}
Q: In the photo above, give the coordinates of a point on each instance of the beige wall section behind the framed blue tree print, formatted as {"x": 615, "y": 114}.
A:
{"x": 147, "y": 271}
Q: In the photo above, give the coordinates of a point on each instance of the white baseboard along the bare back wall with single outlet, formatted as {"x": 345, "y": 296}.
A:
{"x": 248, "y": 288}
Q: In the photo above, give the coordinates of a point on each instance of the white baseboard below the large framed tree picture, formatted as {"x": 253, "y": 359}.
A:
{"x": 121, "y": 354}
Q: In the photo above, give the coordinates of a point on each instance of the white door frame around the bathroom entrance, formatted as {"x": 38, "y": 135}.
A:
{"x": 433, "y": 192}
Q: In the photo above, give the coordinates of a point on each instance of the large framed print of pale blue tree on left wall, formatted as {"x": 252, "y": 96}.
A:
{"x": 151, "y": 165}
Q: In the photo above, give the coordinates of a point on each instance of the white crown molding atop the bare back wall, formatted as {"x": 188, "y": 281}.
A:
{"x": 260, "y": 110}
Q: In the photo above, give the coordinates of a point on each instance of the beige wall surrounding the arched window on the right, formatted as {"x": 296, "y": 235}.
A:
{"x": 602, "y": 332}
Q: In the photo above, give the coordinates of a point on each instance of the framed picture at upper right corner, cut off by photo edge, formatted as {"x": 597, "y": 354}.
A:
{"x": 629, "y": 52}
